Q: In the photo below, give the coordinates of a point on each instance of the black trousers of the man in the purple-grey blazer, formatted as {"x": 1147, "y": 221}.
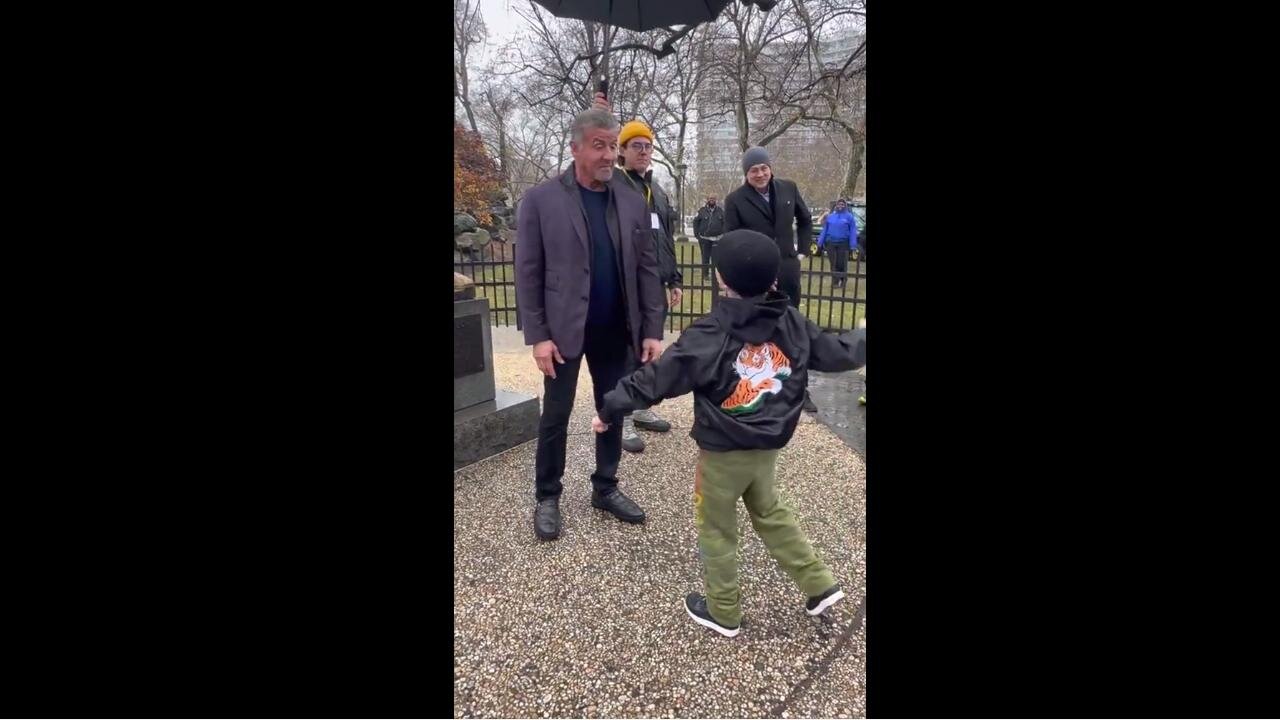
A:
{"x": 609, "y": 358}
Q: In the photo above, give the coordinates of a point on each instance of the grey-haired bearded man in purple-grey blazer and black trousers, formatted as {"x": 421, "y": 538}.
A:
{"x": 588, "y": 286}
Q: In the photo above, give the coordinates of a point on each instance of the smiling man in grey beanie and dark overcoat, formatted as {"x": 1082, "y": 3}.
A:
{"x": 772, "y": 207}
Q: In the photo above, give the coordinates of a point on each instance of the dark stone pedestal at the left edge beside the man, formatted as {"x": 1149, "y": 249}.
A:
{"x": 486, "y": 421}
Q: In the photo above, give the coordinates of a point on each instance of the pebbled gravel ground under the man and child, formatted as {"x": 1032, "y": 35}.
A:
{"x": 593, "y": 625}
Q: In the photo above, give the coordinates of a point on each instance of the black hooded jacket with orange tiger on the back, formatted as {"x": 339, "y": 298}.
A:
{"x": 748, "y": 366}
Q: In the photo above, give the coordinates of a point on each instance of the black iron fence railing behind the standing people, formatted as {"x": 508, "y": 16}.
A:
{"x": 830, "y": 307}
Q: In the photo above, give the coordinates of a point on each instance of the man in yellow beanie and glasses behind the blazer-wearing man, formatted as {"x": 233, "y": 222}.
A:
{"x": 636, "y": 156}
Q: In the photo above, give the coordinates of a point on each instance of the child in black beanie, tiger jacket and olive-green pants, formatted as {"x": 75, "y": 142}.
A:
{"x": 747, "y": 364}
